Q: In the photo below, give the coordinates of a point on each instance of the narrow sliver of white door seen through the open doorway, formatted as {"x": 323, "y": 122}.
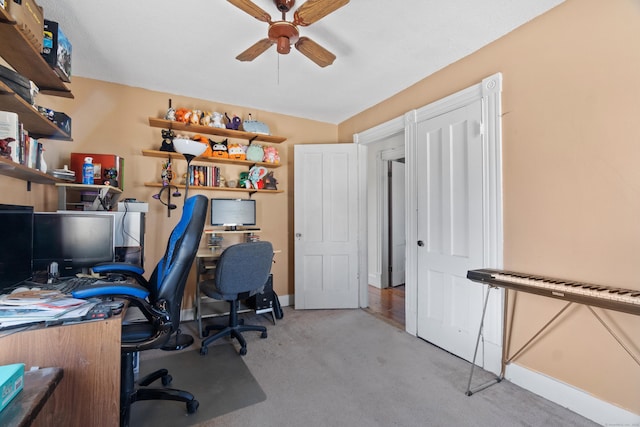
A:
{"x": 398, "y": 239}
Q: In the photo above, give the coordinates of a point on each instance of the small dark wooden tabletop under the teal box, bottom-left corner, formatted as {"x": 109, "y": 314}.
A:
{"x": 38, "y": 387}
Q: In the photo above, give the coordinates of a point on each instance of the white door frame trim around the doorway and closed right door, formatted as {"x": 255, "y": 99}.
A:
{"x": 489, "y": 92}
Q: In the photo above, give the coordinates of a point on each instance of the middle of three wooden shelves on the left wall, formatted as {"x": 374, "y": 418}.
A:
{"x": 37, "y": 125}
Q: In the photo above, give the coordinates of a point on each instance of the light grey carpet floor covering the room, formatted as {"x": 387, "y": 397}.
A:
{"x": 346, "y": 368}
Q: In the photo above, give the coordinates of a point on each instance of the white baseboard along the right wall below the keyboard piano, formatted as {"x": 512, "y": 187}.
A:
{"x": 579, "y": 401}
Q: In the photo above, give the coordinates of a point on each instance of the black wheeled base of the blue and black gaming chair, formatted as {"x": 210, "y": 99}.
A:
{"x": 129, "y": 394}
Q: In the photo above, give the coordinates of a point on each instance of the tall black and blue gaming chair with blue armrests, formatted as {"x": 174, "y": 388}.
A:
{"x": 159, "y": 299}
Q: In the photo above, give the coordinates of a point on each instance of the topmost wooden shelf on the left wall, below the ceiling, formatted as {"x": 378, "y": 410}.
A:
{"x": 27, "y": 60}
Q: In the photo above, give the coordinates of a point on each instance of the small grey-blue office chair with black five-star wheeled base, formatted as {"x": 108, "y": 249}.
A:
{"x": 241, "y": 272}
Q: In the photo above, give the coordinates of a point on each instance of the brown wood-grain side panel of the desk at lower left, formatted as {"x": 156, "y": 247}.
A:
{"x": 89, "y": 354}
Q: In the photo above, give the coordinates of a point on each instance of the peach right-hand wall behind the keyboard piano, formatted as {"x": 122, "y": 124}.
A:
{"x": 571, "y": 146}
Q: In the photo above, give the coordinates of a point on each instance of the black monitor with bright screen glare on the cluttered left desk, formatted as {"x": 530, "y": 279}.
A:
{"x": 76, "y": 241}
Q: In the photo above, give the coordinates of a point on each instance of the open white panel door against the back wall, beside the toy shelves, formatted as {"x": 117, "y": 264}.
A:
{"x": 326, "y": 226}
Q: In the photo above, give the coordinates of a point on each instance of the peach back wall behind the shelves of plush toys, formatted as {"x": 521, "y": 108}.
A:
{"x": 112, "y": 118}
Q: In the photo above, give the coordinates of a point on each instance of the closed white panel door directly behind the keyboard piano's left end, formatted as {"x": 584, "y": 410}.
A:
{"x": 449, "y": 187}
